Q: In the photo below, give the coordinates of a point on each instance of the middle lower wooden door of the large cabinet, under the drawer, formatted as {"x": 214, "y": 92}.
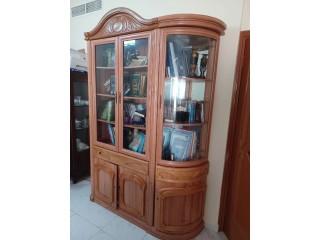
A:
{"x": 133, "y": 195}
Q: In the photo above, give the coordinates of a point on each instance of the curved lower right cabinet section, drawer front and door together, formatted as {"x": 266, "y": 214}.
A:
{"x": 180, "y": 199}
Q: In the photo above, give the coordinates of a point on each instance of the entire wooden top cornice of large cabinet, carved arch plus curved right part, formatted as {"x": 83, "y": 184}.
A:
{"x": 120, "y": 21}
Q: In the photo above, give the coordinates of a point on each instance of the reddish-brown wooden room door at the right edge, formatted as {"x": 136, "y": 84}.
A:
{"x": 236, "y": 220}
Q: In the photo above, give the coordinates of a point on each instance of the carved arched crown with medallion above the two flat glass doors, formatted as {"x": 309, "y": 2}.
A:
{"x": 120, "y": 21}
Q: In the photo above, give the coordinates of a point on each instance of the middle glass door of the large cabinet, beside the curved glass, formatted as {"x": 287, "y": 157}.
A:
{"x": 134, "y": 89}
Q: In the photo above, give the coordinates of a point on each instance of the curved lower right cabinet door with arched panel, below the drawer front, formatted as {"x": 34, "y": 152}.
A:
{"x": 180, "y": 209}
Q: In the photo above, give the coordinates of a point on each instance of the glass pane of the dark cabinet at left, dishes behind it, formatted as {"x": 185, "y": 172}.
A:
{"x": 81, "y": 114}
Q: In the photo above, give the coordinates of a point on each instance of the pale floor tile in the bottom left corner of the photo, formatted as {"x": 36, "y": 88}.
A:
{"x": 80, "y": 229}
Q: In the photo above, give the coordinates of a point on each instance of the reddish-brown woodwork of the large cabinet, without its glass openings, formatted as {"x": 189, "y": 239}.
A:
{"x": 165, "y": 198}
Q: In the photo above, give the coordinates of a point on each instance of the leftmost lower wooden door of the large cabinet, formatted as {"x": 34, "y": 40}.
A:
{"x": 105, "y": 184}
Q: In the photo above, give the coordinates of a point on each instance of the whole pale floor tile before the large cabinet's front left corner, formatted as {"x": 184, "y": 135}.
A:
{"x": 97, "y": 215}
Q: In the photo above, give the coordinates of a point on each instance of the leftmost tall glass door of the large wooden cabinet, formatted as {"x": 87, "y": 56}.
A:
{"x": 106, "y": 89}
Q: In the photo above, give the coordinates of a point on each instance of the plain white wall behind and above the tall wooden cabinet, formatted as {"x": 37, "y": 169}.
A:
{"x": 228, "y": 11}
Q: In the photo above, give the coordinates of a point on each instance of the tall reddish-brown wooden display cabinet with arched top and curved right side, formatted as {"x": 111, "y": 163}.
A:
{"x": 151, "y": 85}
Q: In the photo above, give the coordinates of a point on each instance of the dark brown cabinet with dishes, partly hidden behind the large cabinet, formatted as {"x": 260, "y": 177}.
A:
{"x": 79, "y": 126}
